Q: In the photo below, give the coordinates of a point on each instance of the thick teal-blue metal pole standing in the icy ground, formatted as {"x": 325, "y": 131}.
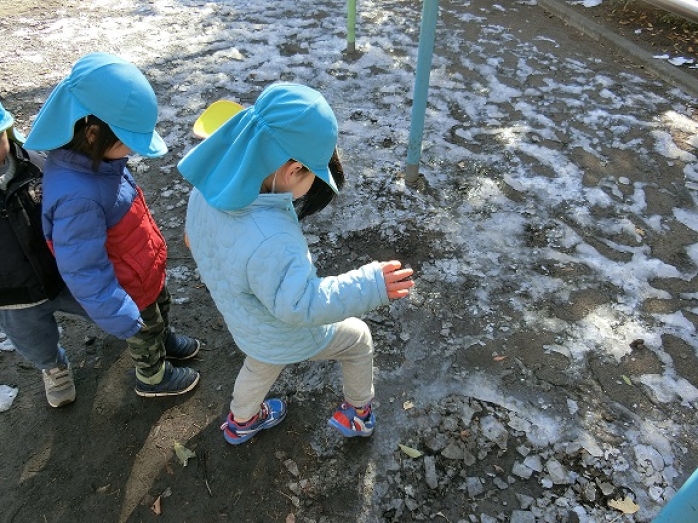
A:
{"x": 427, "y": 35}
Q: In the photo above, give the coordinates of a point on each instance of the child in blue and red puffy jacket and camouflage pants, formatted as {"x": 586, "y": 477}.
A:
{"x": 108, "y": 247}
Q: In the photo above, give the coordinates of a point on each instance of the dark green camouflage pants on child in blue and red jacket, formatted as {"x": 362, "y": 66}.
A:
{"x": 147, "y": 346}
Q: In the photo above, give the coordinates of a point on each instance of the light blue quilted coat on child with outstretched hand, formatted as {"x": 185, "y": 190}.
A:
{"x": 258, "y": 269}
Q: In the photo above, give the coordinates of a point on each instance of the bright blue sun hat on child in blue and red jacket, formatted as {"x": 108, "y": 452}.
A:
{"x": 111, "y": 89}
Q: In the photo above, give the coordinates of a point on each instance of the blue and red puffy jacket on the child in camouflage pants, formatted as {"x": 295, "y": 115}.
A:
{"x": 109, "y": 250}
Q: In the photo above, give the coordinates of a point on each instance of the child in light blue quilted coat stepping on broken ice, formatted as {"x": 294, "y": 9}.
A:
{"x": 251, "y": 253}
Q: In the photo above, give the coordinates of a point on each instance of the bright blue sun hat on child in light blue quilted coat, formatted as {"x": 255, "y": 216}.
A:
{"x": 288, "y": 121}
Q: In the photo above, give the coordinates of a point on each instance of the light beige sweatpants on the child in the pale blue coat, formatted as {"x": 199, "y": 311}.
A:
{"x": 351, "y": 346}
